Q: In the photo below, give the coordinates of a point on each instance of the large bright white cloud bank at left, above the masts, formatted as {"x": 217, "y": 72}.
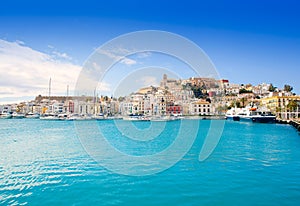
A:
{"x": 25, "y": 72}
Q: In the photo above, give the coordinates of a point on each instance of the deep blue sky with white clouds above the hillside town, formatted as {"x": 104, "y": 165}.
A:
{"x": 247, "y": 41}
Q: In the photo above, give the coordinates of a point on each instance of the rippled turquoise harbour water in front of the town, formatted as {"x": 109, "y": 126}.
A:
{"x": 44, "y": 163}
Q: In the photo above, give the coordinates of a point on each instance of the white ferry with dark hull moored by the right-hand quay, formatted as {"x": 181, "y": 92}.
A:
{"x": 250, "y": 114}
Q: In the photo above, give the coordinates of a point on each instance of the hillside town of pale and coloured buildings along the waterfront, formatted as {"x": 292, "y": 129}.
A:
{"x": 196, "y": 96}
